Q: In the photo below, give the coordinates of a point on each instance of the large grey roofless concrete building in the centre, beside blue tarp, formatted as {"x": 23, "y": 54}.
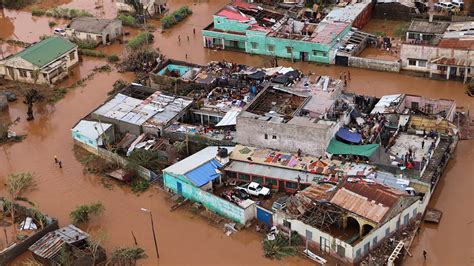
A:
{"x": 292, "y": 119}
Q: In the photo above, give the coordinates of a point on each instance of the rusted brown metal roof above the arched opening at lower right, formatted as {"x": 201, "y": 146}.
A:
{"x": 371, "y": 201}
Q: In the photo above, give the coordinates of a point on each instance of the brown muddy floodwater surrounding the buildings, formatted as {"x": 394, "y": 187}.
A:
{"x": 183, "y": 238}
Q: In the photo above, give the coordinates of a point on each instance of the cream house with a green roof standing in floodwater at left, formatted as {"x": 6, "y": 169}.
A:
{"x": 45, "y": 62}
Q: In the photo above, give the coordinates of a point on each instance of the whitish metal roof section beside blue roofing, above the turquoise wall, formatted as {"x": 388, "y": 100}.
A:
{"x": 192, "y": 162}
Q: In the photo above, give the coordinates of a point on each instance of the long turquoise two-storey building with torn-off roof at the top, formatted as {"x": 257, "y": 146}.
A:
{"x": 254, "y": 30}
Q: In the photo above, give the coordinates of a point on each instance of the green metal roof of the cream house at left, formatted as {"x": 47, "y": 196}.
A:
{"x": 46, "y": 51}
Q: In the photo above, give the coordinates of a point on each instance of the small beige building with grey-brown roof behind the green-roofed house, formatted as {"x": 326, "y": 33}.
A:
{"x": 94, "y": 30}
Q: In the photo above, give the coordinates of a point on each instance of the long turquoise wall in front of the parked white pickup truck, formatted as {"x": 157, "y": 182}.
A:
{"x": 209, "y": 200}
